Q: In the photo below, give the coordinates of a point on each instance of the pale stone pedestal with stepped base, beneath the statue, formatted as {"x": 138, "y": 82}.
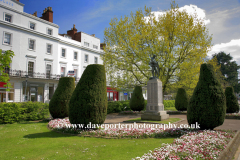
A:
{"x": 155, "y": 108}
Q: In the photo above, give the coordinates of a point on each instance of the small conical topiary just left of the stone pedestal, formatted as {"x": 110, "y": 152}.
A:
{"x": 137, "y": 101}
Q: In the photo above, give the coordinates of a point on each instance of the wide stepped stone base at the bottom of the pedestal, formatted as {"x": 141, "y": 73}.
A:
{"x": 159, "y": 116}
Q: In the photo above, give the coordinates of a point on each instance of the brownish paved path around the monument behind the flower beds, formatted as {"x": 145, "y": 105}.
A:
{"x": 229, "y": 124}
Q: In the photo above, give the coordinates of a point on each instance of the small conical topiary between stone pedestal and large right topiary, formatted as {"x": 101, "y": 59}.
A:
{"x": 181, "y": 102}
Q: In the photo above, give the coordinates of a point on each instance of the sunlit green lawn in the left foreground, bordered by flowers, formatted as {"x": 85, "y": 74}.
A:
{"x": 33, "y": 141}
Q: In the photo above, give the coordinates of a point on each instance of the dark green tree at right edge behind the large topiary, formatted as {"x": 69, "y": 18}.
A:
{"x": 228, "y": 69}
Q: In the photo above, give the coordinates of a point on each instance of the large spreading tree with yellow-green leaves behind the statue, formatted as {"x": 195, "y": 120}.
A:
{"x": 179, "y": 40}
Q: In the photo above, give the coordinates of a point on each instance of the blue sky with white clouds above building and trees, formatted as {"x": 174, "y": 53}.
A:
{"x": 93, "y": 16}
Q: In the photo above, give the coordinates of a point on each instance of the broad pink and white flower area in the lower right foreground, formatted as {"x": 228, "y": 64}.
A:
{"x": 193, "y": 145}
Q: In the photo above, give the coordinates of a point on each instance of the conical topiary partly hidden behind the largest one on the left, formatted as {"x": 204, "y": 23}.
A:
{"x": 59, "y": 104}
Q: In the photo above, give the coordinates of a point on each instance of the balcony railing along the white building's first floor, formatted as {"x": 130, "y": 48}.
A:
{"x": 38, "y": 75}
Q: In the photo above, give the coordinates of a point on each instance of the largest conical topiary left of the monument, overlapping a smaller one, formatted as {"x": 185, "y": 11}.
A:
{"x": 89, "y": 99}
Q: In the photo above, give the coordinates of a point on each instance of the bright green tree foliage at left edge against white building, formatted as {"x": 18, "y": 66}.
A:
{"x": 5, "y": 60}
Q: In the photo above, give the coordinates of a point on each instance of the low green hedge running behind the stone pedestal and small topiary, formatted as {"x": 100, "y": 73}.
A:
{"x": 118, "y": 106}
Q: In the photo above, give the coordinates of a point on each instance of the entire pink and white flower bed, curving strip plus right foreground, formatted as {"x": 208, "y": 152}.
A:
{"x": 191, "y": 144}
